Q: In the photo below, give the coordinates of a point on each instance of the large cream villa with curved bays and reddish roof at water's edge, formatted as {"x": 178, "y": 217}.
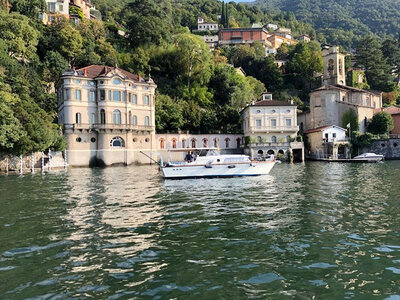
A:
{"x": 107, "y": 114}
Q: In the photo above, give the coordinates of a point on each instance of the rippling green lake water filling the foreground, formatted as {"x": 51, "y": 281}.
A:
{"x": 306, "y": 231}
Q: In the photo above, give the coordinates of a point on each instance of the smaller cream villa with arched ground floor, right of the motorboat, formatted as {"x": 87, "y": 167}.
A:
{"x": 270, "y": 128}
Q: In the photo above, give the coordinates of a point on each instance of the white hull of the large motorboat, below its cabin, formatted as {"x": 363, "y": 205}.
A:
{"x": 218, "y": 170}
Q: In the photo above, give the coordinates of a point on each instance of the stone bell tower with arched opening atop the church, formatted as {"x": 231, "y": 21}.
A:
{"x": 334, "y": 66}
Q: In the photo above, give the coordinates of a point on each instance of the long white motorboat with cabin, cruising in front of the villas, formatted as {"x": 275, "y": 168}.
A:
{"x": 208, "y": 162}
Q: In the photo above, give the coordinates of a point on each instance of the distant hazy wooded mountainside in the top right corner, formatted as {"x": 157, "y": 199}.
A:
{"x": 342, "y": 22}
